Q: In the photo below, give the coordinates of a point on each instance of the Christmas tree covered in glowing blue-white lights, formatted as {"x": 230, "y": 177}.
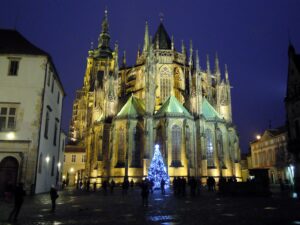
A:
{"x": 157, "y": 170}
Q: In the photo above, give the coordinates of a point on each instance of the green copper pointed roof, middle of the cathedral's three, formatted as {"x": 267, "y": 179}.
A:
{"x": 172, "y": 107}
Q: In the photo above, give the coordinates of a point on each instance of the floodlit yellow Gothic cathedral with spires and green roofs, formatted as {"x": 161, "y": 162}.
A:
{"x": 166, "y": 98}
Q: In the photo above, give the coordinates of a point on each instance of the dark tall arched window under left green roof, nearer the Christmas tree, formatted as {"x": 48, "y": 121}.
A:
{"x": 137, "y": 147}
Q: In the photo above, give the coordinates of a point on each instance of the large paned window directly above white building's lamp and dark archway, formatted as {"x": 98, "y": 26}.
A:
{"x": 7, "y": 117}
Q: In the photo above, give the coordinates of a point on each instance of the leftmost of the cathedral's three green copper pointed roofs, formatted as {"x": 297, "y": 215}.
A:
{"x": 133, "y": 108}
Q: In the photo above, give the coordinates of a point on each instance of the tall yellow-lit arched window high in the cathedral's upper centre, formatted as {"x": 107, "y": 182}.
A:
{"x": 165, "y": 83}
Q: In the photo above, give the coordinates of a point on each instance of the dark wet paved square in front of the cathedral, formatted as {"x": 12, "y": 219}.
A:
{"x": 80, "y": 207}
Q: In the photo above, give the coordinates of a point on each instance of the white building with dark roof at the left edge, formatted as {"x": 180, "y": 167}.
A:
{"x": 31, "y": 97}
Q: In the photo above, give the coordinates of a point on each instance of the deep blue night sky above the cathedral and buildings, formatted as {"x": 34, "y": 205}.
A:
{"x": 250, "y": 36}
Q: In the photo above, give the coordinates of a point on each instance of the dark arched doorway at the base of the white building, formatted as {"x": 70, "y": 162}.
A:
{"x": 9, "y": 167}
